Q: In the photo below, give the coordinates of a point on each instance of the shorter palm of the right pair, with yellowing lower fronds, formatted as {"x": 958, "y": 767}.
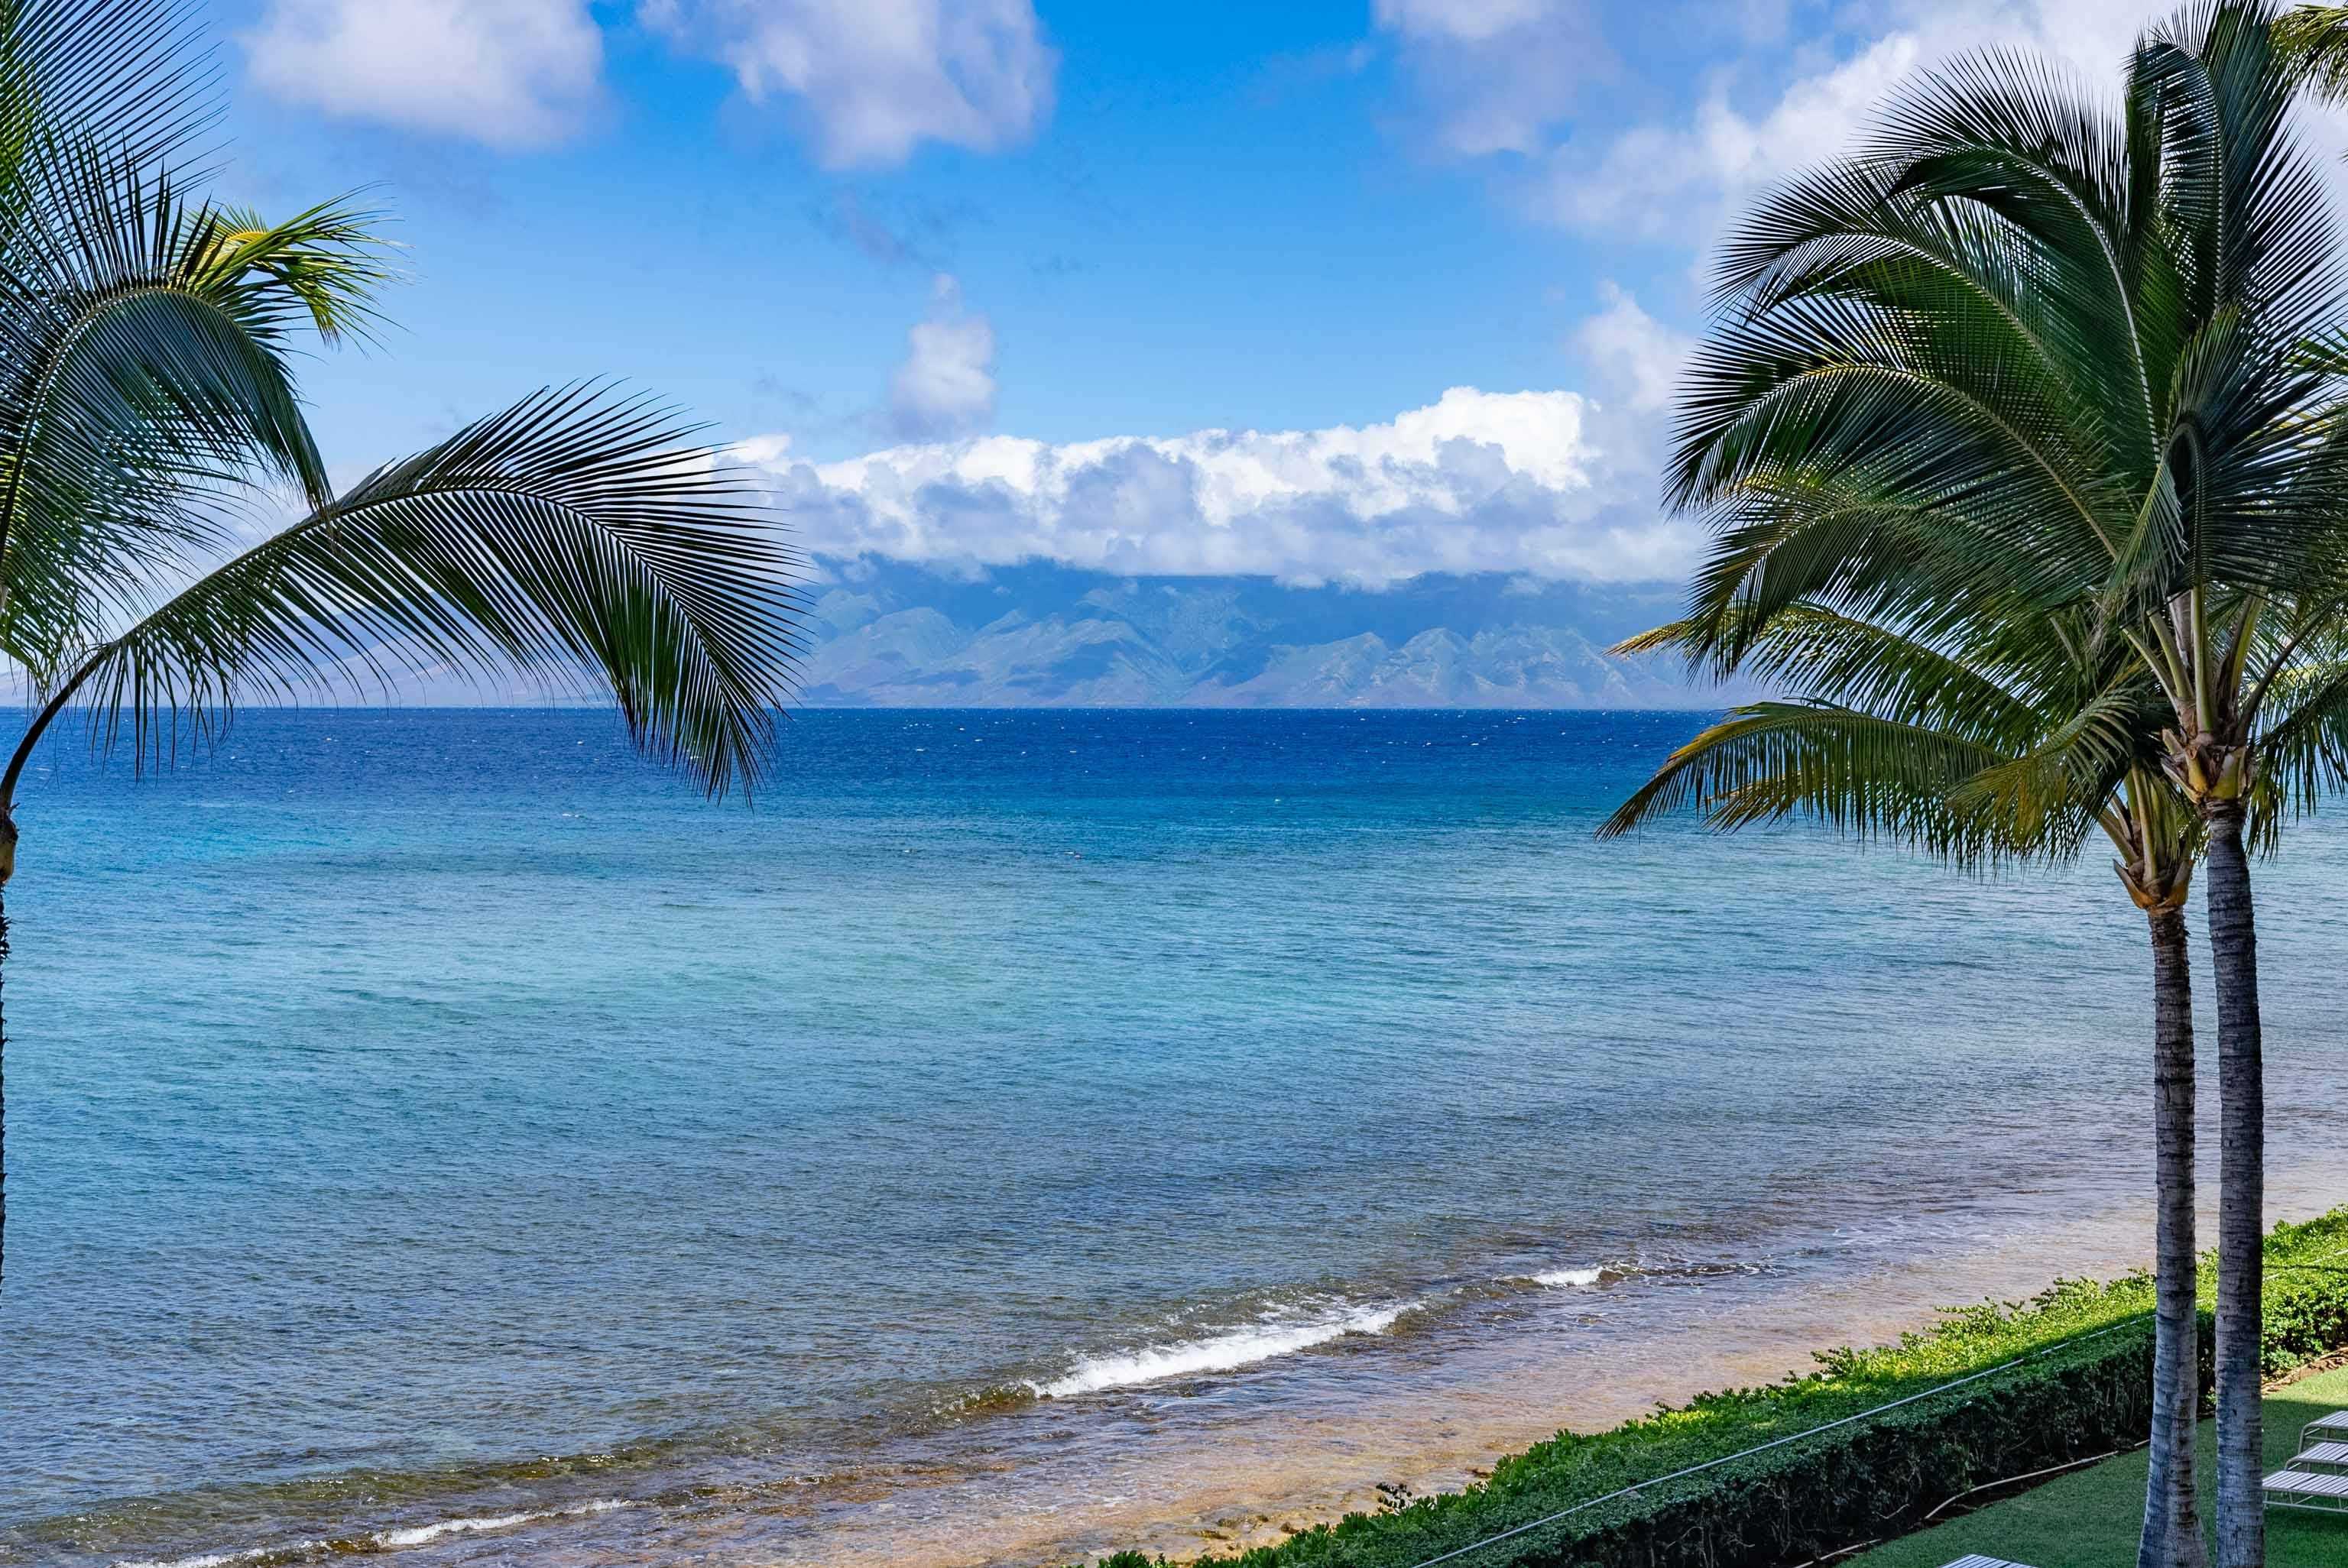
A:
{"x": 2009, "y": 736}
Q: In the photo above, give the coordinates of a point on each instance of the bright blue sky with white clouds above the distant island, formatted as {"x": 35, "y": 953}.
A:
{"x": 980, "y": 278}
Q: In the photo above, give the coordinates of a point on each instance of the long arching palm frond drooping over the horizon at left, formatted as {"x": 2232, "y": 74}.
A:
{"x": 579, "y": 532}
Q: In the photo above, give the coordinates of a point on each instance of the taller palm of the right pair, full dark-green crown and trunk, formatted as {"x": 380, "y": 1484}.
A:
{"x": 2070, "y": 351}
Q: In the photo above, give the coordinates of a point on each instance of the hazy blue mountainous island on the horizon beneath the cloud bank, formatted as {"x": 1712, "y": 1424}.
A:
{"x": 1039, "y": 637}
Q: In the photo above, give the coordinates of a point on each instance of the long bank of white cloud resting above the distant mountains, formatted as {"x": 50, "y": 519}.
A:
{"x": 1478, "y": 482}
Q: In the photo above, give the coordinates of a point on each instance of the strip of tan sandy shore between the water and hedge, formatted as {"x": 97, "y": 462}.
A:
{"x": 1145, "y": 1482}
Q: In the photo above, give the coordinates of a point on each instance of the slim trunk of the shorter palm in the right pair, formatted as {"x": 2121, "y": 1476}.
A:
{"x": 2171, "y": 1510}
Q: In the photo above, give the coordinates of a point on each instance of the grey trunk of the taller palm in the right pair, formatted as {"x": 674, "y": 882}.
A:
{"x": 2241, "y": 1222}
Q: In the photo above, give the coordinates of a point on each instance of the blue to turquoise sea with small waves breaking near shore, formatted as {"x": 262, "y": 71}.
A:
{"x": 443, "y": 1116}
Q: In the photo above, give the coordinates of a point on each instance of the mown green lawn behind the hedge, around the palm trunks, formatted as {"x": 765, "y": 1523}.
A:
{"x": 2091, "y": 1520}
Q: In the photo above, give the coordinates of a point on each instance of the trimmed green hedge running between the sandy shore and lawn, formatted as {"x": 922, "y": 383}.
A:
{"x": 2084, "y": 1391}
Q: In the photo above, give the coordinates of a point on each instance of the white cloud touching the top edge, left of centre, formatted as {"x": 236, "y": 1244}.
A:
{"x": 877, "y": 79}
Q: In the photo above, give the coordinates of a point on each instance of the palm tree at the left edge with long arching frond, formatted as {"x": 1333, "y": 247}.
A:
{"x": 147, "y": 386}
